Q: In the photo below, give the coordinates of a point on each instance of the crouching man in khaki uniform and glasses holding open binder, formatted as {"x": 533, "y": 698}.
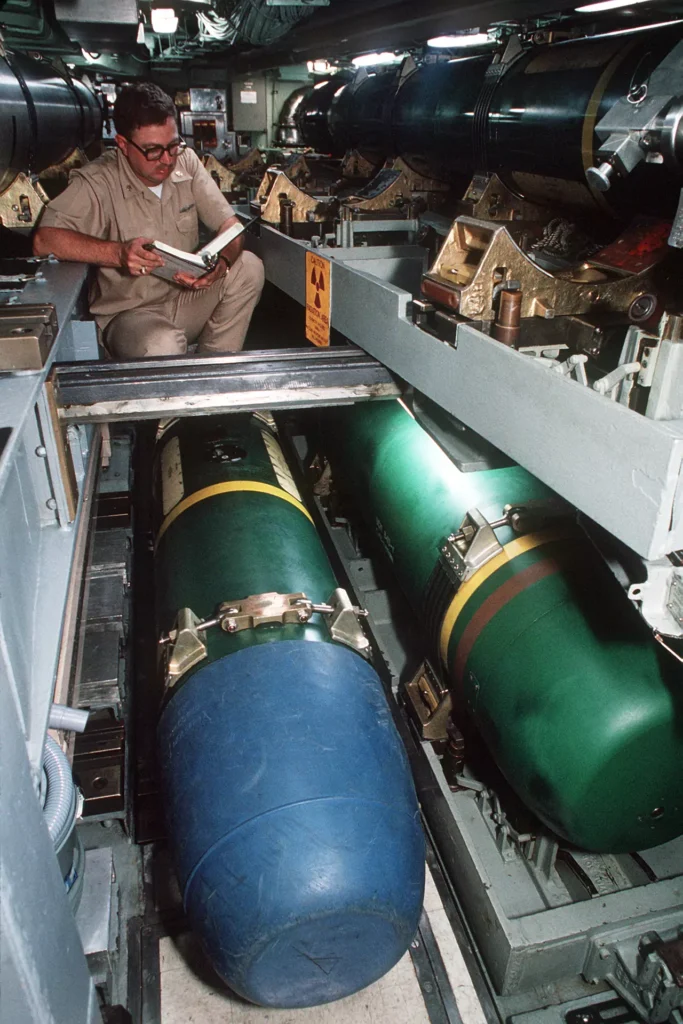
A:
{"x": 152, "y": 188}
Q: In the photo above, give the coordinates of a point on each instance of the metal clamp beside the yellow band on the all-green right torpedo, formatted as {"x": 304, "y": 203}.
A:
{"x": 475, "y": 544}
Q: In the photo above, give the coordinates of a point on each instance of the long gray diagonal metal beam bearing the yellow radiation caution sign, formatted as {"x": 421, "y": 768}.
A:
{"x": 622, "y": 470}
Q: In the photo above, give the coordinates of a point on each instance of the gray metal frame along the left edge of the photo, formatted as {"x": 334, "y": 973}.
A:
{"x": 45, "y": 975}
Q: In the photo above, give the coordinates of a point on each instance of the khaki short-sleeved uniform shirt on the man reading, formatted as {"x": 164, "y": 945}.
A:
{"x": 108, "y": 201}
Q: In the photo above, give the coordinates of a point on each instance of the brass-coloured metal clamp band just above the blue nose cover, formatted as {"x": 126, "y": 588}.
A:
{"x": 187, "y": 649}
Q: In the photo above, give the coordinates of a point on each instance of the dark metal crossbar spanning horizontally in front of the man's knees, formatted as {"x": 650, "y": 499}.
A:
{"x": 153, "y": 389}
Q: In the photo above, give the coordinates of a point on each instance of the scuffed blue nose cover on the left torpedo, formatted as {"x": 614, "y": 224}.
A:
{"x": 294, "y": 821}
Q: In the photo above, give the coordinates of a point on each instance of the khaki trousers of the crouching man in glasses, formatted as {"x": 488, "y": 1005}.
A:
{"x": 217, "y": 319}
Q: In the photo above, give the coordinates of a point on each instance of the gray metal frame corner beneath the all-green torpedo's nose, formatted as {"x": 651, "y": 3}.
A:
{"x": 530, "y": 944}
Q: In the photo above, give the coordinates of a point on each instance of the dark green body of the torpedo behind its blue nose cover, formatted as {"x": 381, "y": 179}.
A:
{"x": 237, "y": 544}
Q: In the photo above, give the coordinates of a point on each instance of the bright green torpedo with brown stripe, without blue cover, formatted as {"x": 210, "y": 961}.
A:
{"x": 581, "y": 709}
